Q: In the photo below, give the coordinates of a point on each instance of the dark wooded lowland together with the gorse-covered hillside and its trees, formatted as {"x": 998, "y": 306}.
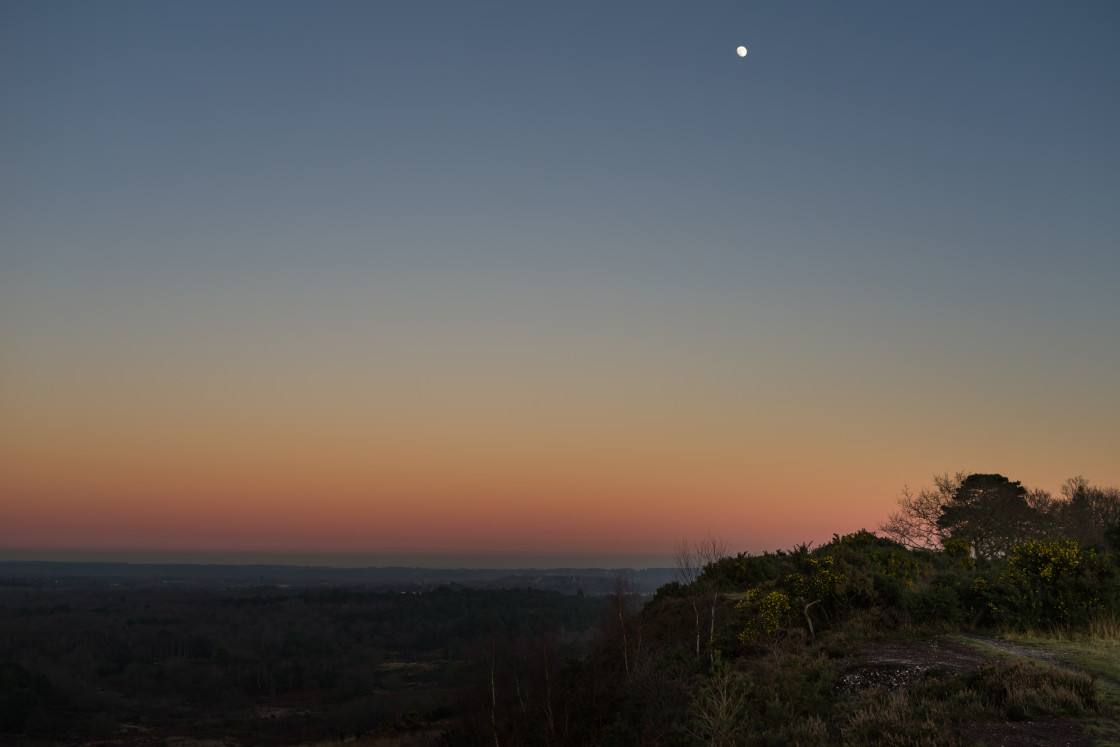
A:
{"x": 854, "y": 642}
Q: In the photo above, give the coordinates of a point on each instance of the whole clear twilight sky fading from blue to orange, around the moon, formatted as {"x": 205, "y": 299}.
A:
{"x": 546, "y": 278}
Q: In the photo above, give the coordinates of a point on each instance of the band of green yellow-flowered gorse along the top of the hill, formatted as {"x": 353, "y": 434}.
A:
{"x": 1038, "y": 584}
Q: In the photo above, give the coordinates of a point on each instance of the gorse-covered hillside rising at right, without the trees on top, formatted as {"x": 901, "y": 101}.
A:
{"x": 855, "y": 642}
